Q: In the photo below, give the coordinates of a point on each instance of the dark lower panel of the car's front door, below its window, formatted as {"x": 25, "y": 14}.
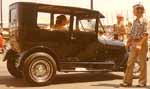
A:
{"x": 86, "y": 45}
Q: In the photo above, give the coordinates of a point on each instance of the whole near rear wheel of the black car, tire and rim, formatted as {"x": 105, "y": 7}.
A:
{"x": 39, "y": 69}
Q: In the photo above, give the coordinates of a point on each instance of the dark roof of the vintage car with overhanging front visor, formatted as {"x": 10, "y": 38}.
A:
{"x": 63, "y": 9}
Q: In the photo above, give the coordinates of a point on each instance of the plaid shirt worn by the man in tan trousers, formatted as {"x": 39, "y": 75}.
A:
{"x": 138, "y": 29}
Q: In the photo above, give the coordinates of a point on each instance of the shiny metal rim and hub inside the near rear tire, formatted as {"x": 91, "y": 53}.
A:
{"x": 41, "y": 70}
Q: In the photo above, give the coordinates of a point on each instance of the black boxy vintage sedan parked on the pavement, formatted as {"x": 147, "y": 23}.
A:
{"x": 39, "y": 49}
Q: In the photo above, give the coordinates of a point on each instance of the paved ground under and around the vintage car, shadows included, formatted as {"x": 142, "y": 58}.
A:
{"x": 70, "y": 80}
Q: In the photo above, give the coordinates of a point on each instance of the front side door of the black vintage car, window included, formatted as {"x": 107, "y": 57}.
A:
{"x": 83, "y": 39}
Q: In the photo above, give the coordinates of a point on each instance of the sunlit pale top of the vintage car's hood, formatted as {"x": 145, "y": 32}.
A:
{"x": 108, "y": 41}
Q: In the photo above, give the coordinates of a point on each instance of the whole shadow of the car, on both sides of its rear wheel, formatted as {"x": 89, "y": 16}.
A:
{"x": 9, "y": 81}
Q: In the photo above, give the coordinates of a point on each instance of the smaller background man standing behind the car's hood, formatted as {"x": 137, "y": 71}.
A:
{"x": 119, "y": 28}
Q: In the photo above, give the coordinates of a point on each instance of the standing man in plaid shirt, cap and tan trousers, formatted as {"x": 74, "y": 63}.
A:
{"x": 138, "y": 46}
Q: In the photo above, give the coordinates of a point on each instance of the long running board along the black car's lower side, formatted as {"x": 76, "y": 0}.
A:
{"x": 86, "y": 66}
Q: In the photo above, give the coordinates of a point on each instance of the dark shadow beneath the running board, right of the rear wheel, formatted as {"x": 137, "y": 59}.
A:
{"x": 85, "y": 77}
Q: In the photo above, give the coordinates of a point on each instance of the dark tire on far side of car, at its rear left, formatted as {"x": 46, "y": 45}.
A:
{"x": 11, "y": 67}
